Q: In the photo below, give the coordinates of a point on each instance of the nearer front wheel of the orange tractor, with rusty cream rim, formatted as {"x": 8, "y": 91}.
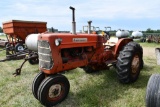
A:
{"x": 53, "y": 90}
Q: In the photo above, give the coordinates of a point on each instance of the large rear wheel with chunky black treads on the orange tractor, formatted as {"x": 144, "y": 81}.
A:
{"x": 129, "y": 63}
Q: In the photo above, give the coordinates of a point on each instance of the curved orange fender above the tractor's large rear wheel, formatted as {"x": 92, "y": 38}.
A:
{"x": 120, "y": 44}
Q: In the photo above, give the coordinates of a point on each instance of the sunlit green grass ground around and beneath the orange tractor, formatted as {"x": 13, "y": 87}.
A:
{"x": 101, "y": 89}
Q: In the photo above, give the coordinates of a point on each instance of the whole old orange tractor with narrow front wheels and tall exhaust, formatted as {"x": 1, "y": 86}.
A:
{"x": 59, "y": 52}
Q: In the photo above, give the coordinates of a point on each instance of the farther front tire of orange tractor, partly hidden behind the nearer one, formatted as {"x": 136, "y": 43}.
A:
{"x": 36, "y": 83}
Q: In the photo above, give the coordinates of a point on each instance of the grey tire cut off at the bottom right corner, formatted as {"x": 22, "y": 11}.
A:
{"x": 153, "y": 91}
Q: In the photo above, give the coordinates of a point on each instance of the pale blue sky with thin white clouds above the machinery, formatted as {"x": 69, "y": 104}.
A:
{"x": 118, "y": 14}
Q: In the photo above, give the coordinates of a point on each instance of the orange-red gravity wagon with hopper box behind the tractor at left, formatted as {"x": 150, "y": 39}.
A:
{"x": 16, "y": 32}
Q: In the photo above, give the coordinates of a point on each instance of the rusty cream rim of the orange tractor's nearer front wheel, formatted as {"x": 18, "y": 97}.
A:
{"x": 55, "y": 92}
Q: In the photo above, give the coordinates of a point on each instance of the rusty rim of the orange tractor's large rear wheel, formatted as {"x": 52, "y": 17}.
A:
{"x": 135, "y": 64}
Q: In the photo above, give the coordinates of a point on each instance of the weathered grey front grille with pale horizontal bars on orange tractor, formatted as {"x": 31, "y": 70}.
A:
{"x": 45, "y": 56}
